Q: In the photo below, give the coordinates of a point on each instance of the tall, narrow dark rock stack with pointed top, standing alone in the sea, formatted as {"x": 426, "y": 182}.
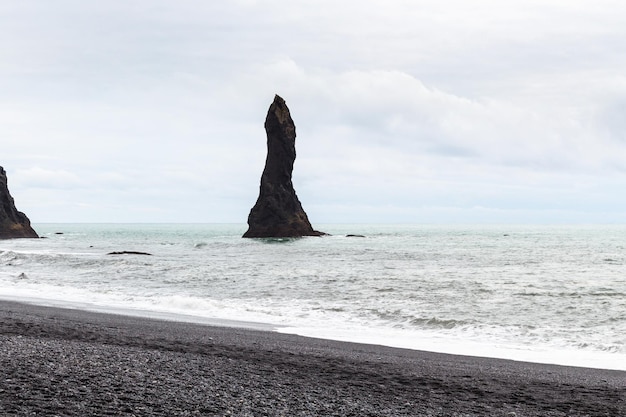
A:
{"x": 278, "y": 212}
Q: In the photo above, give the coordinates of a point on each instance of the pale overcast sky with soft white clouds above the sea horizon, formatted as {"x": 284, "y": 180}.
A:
{"x": 423, "y": 111}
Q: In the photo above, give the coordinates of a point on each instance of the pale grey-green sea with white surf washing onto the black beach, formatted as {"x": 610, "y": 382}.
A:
{"x": 552, "y": 294}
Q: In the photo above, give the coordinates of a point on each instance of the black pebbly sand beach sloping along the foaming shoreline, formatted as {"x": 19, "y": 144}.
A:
{"x": 75, "y": 363}
